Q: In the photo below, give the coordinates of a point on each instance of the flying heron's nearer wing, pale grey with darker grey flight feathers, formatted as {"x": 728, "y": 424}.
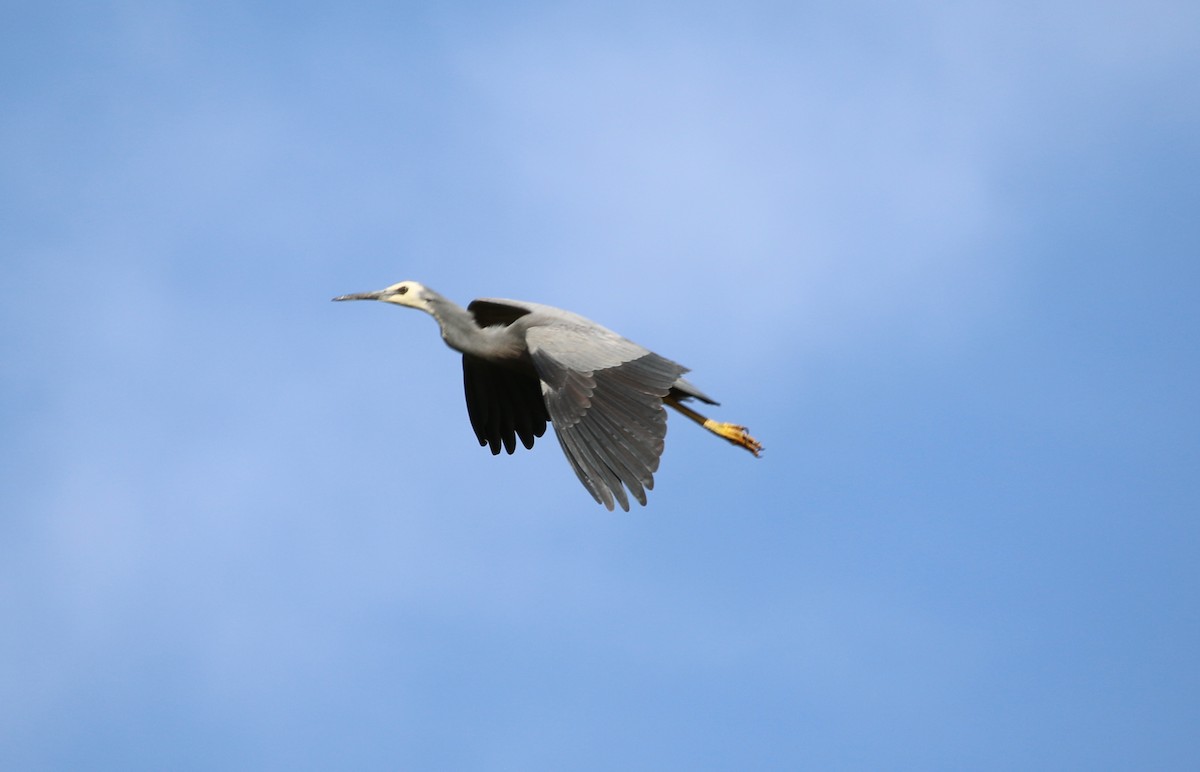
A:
{"x": 604, "y": 396}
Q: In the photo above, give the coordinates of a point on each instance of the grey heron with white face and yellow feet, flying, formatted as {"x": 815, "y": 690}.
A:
{"x": 525, "y": 364}
